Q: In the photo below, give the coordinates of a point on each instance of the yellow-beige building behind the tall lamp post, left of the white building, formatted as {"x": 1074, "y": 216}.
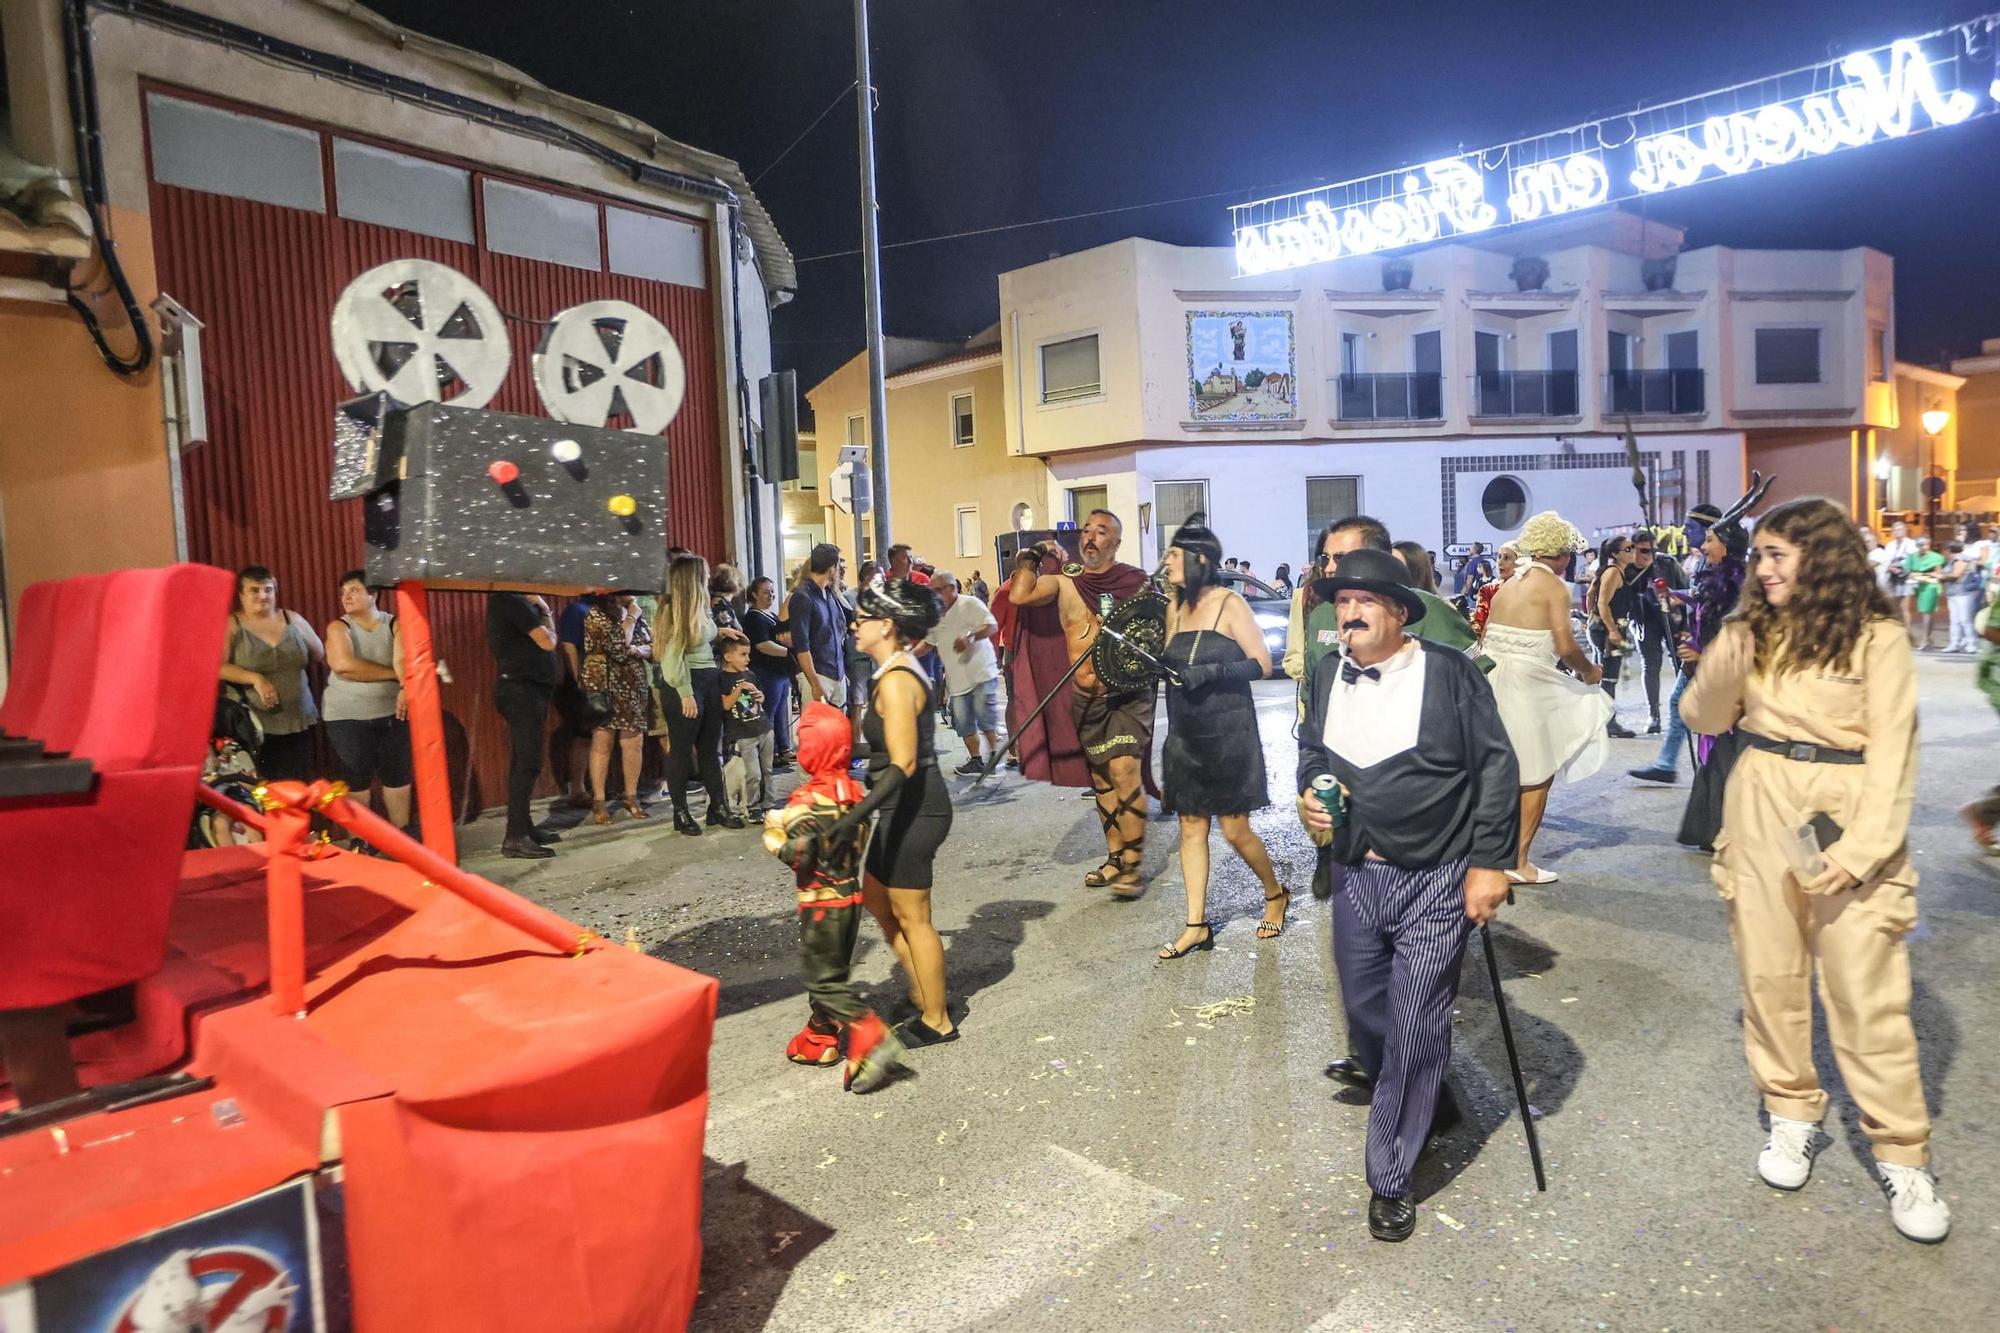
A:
{"x": 955, "y": 483}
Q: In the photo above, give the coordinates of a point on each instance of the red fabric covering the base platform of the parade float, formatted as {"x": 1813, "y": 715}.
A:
{"x": 521, "y": 1130}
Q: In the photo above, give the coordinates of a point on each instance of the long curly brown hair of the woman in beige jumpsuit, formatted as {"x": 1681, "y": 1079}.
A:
{"x": 1833, "y": 599}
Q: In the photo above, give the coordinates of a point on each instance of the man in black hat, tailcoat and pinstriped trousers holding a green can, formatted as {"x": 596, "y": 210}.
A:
{"x": 1431, "y": 822}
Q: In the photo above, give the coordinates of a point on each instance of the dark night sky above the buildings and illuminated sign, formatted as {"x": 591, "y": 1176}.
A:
{"x": 1009, "y": 111}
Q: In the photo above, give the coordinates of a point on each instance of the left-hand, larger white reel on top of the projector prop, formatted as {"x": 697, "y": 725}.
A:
{"x": 421, "y": 331}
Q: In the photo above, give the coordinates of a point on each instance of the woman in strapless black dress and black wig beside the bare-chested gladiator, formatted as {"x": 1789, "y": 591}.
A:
{"x": 1213, "y": 756}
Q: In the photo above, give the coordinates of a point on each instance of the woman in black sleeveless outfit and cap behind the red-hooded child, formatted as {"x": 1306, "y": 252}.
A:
{"x": 909, "y": 790}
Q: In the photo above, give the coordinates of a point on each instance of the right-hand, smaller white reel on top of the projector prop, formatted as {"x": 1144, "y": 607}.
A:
{"x": 607, "y": 363}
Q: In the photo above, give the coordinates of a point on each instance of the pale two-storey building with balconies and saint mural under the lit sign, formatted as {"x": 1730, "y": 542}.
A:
{"x": 1453, "y": 391}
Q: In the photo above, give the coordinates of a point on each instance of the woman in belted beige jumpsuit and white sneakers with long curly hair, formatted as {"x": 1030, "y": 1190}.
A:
{"x": 1817, "y": 672}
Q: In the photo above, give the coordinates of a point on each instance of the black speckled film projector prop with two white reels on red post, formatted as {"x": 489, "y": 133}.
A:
{"x": 465, "y": 497}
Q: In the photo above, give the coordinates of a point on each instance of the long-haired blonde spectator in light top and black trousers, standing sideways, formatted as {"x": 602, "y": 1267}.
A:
{"x": 683, "y": 641}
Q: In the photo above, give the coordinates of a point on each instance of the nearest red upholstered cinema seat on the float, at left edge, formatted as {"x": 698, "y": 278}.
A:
{"x": 87, "y": 882}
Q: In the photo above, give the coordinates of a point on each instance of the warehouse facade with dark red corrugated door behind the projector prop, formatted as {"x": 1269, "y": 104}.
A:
{"x": 255, "y": 159}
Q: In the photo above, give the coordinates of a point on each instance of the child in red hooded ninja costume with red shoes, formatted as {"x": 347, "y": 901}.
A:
{"x": 827, "y": 854}
